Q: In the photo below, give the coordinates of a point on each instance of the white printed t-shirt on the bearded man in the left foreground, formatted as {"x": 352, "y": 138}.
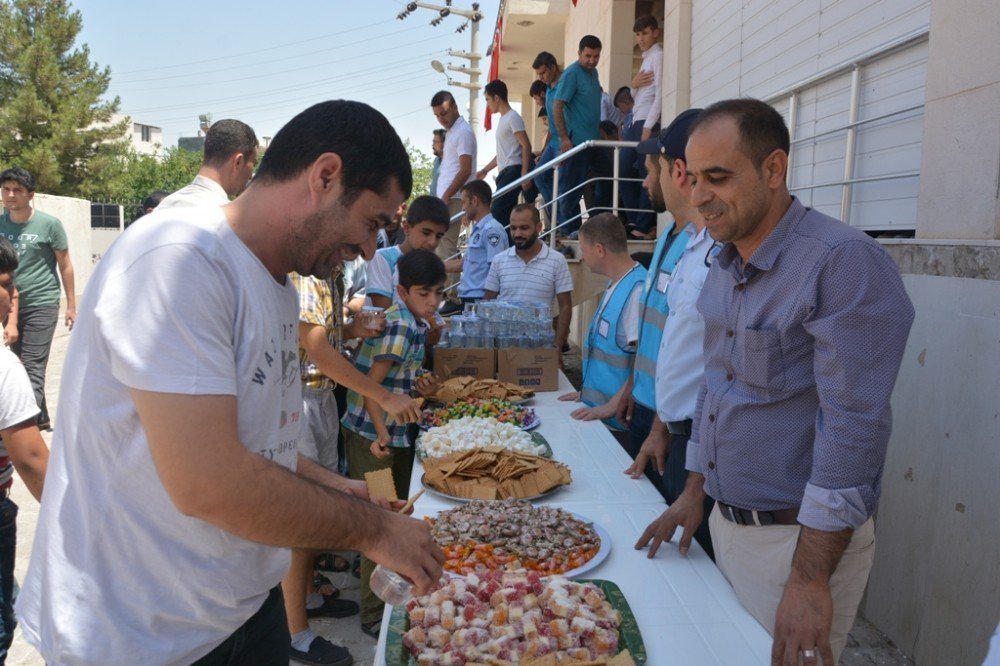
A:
{"x": 117, "y": 574}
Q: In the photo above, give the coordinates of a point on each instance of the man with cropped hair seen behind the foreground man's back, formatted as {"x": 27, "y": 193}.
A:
{"x": 230, "y": 157}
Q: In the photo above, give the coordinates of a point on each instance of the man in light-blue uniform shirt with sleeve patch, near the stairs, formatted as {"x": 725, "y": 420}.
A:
{"x": 487, "y": 239}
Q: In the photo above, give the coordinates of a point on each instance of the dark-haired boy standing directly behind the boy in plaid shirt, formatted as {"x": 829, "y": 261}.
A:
{"x": 426, "y": 223}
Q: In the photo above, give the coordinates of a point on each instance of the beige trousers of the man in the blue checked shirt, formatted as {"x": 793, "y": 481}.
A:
{"x": 757, "y": 561}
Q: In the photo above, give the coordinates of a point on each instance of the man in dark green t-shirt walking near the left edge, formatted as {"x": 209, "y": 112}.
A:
{"x": 40, "y": 241}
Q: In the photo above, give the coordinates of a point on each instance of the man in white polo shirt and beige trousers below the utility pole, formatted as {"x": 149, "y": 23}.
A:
{"x": 458, "y": 164}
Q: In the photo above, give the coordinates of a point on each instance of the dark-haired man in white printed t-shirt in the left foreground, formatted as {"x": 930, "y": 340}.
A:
{"x": 175, "y": 485}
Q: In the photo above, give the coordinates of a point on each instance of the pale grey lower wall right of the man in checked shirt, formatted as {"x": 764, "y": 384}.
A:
{"x": 933, "y": 588}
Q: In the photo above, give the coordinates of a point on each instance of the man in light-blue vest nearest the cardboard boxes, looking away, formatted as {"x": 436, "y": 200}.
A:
{"x": 609, "y": 349}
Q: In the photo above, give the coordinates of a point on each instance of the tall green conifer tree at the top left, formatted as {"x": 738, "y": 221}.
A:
{"x": 53, "y": 120}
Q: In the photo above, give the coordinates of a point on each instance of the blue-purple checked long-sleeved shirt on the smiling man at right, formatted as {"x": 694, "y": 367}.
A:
{"x": 802, "y": 347}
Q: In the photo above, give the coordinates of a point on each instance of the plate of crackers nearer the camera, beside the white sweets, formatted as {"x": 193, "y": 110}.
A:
{"x": 494, "y": 473}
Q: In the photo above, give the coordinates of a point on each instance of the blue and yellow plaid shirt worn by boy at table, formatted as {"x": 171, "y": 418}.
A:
{"x": 403, "y": 344}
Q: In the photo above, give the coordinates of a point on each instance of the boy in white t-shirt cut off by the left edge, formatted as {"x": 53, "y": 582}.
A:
{"x": 21, "y": 448}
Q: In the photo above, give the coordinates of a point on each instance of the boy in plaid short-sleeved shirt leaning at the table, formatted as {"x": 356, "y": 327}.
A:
{"x": 394, "y": 360}
